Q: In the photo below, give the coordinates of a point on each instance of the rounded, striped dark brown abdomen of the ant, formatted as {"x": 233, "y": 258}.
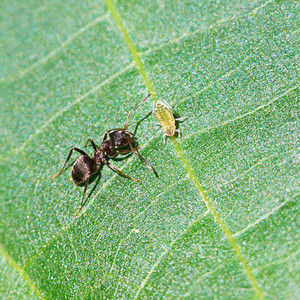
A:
{"x": 83, "y": 168}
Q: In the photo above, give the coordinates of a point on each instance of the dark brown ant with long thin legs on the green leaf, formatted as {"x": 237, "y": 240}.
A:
{"x": 114, "y": 141}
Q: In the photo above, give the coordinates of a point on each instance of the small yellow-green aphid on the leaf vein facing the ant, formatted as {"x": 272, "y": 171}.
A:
{"x": 164, "y": 114}
